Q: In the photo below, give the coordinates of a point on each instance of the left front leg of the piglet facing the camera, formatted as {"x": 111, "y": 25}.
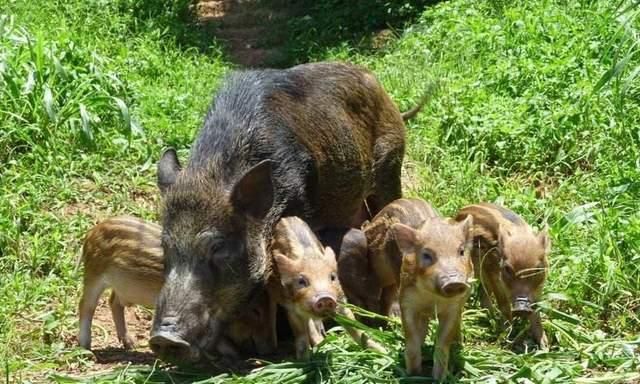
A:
{"x": 415, "y": 326}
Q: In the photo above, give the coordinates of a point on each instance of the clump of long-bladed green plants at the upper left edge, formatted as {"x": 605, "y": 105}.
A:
{"x": 49, "y": 87}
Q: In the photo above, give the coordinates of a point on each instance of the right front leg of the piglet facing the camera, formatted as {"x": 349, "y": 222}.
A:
{"x": 448, "y": 333}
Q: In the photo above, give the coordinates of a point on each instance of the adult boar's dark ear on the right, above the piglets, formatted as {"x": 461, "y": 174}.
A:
{"x": 253, "y": 193}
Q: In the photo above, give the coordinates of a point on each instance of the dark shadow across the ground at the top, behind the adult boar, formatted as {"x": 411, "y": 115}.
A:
{"x": 275, "y": 33}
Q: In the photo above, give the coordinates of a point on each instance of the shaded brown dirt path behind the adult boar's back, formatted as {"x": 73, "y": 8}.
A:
{"x": 251, "y": 29}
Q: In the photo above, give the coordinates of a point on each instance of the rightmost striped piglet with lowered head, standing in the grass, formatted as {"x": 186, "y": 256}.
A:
{"x": 510, "y": 261}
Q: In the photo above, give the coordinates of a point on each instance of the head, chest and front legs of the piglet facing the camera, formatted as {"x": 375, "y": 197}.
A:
{"x": 434, "y": 283}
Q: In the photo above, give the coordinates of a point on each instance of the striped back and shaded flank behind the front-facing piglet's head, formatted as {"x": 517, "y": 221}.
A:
{"x": 384, "y": 255}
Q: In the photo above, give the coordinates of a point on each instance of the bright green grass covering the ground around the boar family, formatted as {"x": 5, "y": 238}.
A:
{"x": 539, "y": 109}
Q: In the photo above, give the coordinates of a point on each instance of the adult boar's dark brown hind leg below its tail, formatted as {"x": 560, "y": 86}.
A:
{"x": 388, "y": 154}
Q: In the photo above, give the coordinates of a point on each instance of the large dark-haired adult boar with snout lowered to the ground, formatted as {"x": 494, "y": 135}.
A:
{"x": 313, "y": 141}
